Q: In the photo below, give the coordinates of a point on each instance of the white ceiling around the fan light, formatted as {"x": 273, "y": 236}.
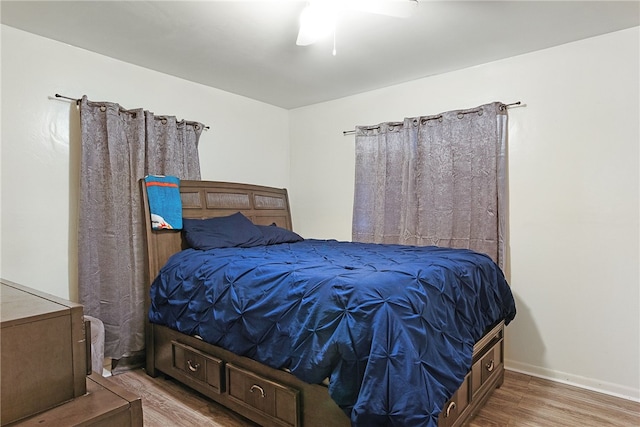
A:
{"x": 248, "y": 47}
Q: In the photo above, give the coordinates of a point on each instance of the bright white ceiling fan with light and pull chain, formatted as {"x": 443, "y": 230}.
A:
{"x": 318, "y": 19}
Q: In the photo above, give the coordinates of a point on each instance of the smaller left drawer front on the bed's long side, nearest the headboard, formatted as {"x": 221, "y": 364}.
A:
{"x": 198, "y": 366}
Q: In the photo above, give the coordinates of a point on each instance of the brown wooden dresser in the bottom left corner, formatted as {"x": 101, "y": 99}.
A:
{"x": 43, "y": 366}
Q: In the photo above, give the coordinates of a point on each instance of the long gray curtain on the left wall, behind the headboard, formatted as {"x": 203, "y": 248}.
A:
{"x": 119, "y": 147}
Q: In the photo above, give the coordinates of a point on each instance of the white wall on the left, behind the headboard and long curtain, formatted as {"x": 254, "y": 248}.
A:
{"x": 247, "y": 142}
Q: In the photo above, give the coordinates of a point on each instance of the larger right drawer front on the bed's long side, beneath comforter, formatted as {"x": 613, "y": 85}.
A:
{"x": 277, "y": 402}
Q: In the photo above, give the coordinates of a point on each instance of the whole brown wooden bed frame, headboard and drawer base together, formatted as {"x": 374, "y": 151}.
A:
{"x": 267, "y": 396}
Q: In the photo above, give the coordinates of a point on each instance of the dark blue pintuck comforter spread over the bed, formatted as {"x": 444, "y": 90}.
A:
{"x": 392, "y": 327}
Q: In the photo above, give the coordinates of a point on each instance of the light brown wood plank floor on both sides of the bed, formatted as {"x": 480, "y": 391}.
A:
{"x": 521, "y": 401}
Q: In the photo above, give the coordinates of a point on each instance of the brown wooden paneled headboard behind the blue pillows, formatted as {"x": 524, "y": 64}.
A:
{"x": 209, "y": 199}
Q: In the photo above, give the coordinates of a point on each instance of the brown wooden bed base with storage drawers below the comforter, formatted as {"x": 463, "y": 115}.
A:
{"x": 276, "y": 398}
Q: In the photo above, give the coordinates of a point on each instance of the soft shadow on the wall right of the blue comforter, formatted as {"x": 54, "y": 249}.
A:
{"x": 523, "y": 338}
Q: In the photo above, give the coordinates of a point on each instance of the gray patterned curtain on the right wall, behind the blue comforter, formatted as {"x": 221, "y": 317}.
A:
{"x": 434, "y": 180}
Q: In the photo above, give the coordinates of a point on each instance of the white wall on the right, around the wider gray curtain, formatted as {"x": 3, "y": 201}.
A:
{"x": 574, "y": 202}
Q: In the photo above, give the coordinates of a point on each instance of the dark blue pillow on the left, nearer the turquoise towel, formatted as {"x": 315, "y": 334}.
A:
{"x": 223, "y": 232}
